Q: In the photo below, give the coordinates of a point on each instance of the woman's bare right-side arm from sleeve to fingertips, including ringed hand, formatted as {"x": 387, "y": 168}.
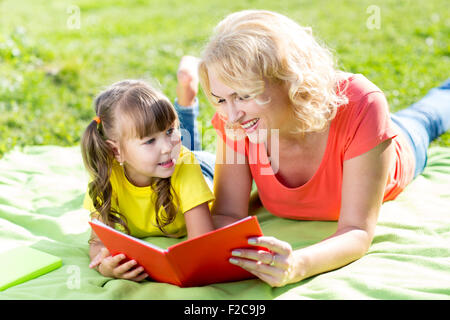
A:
{"x": 364, "y": 182}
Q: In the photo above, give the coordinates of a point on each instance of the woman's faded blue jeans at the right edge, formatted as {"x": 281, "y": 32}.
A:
{"x": 424, "y": 121}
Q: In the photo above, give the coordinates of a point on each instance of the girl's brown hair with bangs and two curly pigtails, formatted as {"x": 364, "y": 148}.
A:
{"x": 149, "y": 111}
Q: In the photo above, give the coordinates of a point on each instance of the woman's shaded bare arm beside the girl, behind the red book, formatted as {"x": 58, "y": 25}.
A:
{"x": 232, "y": 186}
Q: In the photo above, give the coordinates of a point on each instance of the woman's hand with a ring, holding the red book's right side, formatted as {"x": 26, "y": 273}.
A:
{"x": 276, "y": 267}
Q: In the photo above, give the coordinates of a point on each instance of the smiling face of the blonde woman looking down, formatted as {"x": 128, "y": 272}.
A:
{"x": 255, "y": 119}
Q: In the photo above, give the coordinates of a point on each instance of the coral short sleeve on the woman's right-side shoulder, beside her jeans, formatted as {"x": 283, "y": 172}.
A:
{"x": 369, "y": 126}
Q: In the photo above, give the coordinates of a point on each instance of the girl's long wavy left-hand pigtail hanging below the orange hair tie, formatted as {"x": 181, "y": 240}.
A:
{"x": 98, "y": 158}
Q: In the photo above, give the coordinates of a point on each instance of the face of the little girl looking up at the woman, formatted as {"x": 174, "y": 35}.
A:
{"x": 153, "y": 156}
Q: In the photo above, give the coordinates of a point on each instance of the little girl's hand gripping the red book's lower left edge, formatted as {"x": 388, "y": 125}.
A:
{"x": 110, "y": 266}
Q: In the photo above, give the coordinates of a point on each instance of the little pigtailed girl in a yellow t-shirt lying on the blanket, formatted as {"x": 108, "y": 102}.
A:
{"x": 144, "y": 182}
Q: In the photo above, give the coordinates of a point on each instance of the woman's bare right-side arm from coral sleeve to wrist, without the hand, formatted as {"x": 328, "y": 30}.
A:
{"x": 363, "y": 186}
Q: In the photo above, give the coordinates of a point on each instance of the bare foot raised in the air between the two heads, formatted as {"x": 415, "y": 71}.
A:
{"x": 187, "y": 75}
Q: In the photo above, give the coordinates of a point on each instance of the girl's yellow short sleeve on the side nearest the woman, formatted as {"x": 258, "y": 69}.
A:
{"x": 190, "y": 185}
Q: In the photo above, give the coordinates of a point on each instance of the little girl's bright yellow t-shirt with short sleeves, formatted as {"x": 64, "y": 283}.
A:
{"x": 137, "y": 204}
